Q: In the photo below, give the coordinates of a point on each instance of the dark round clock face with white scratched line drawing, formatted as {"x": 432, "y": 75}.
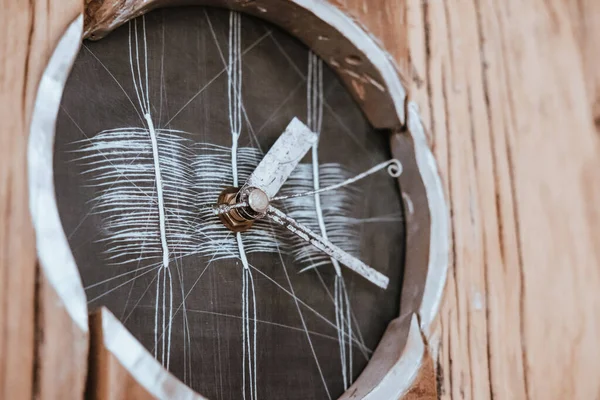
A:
{"x": 157, "y": 120}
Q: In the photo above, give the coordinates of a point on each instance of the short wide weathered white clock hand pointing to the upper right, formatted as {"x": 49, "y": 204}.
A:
{"x": 277, "y": 165}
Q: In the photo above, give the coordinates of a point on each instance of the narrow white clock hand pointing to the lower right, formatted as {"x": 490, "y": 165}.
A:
{"x": 327, "y": 247}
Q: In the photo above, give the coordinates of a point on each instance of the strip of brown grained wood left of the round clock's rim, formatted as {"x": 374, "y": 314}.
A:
{"x": 30, "y": 30}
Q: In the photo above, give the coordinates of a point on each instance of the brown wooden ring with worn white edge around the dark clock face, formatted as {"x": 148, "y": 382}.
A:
{"x": 371, "y": 76}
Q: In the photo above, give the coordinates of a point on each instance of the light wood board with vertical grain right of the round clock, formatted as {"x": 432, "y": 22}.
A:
{"x": 502, "y": 87}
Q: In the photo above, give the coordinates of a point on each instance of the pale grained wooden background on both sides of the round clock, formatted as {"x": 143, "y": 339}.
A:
{"x": 510, "y": 93}
